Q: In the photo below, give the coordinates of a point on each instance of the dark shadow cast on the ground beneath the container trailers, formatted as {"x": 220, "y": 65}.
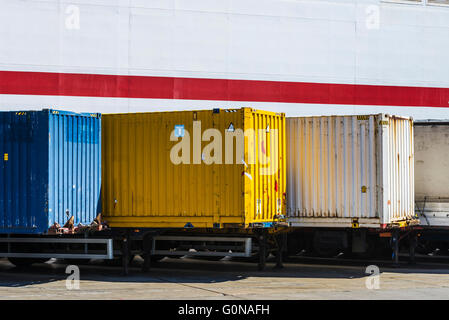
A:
{"x": 189, "y": 270}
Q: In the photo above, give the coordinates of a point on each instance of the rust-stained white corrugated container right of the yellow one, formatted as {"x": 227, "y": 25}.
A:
{"x": 345, "y": 169}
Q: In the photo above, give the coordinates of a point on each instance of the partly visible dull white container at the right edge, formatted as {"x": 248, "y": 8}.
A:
{"x": 432, "y": 172}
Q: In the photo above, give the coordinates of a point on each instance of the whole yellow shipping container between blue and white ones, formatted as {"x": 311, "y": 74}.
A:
{"x": 194, "y": 169}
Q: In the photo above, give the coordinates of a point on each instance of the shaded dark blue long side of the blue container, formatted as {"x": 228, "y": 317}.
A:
{"x": 22, "y": 182}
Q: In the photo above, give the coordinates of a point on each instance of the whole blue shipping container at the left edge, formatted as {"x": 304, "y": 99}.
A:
{"x": 50, "y": 165}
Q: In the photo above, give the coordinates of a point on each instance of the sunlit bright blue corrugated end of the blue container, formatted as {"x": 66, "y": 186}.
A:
{"x": 75, "y": 168}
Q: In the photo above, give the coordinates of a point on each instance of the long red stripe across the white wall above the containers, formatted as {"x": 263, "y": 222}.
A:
{"x": 97, "y": 85}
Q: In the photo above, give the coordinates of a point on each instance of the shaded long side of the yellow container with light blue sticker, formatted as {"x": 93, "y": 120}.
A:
{"x": 163, "y": 169}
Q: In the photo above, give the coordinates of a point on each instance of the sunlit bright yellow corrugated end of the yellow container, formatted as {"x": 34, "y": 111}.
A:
{"x": 265, "y": 178}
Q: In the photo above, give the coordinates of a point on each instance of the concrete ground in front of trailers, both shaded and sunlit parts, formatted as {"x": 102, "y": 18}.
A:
{"x": 196, "y": 279}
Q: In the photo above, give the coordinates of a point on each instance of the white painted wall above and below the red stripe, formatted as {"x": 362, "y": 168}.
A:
{"x": 288, "y": 40}
